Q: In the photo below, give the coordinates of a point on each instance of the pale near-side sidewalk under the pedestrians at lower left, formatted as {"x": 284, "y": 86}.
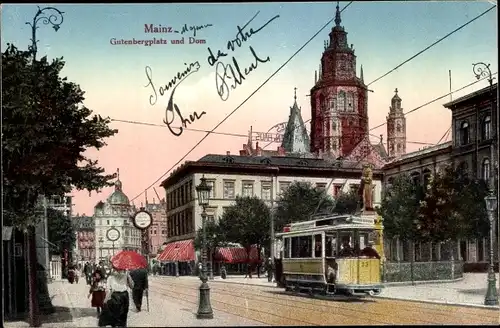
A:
{"x": 73, "y": 310}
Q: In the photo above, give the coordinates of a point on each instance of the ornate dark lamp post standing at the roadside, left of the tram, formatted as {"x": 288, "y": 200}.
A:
{"x": 204, "y": 307}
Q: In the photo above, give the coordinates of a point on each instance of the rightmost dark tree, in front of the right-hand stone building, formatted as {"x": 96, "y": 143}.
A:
{"x": 453, "y": 207}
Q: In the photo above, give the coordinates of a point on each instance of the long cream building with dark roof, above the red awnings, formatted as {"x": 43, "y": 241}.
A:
{"x": 265, "y": 177}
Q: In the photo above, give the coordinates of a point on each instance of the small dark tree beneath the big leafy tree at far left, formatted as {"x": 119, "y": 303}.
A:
{"x": 61, "y": 231}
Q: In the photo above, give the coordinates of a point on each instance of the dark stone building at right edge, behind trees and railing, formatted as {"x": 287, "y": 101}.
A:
{"x": 473, "y": 147}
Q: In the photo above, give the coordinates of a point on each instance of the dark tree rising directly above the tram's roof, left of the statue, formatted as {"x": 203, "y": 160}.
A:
{"x": 299, "y": 202}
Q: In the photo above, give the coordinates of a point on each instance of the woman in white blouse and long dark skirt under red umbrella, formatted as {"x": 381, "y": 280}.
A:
{"x": 115, "y": 308}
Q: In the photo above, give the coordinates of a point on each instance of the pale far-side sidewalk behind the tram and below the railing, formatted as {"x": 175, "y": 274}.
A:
{"x": 469, "y": 291}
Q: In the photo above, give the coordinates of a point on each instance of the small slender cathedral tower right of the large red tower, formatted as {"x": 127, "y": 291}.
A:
{"x": 396, "y": 128}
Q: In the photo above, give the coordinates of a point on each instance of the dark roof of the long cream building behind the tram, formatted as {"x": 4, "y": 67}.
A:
{"x": 290, "y": 166}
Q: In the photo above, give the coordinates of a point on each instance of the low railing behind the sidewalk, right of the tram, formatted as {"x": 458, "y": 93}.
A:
{"x": 422, "y": 271}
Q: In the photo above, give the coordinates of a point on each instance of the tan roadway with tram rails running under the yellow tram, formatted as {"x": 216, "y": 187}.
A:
{"x": 274, "y": 306}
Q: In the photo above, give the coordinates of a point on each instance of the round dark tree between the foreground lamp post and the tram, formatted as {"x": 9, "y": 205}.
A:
{"x": 247, "y": 222}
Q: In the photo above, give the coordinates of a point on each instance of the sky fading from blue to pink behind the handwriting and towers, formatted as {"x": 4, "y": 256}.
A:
{"x": 384, "y": 34}
